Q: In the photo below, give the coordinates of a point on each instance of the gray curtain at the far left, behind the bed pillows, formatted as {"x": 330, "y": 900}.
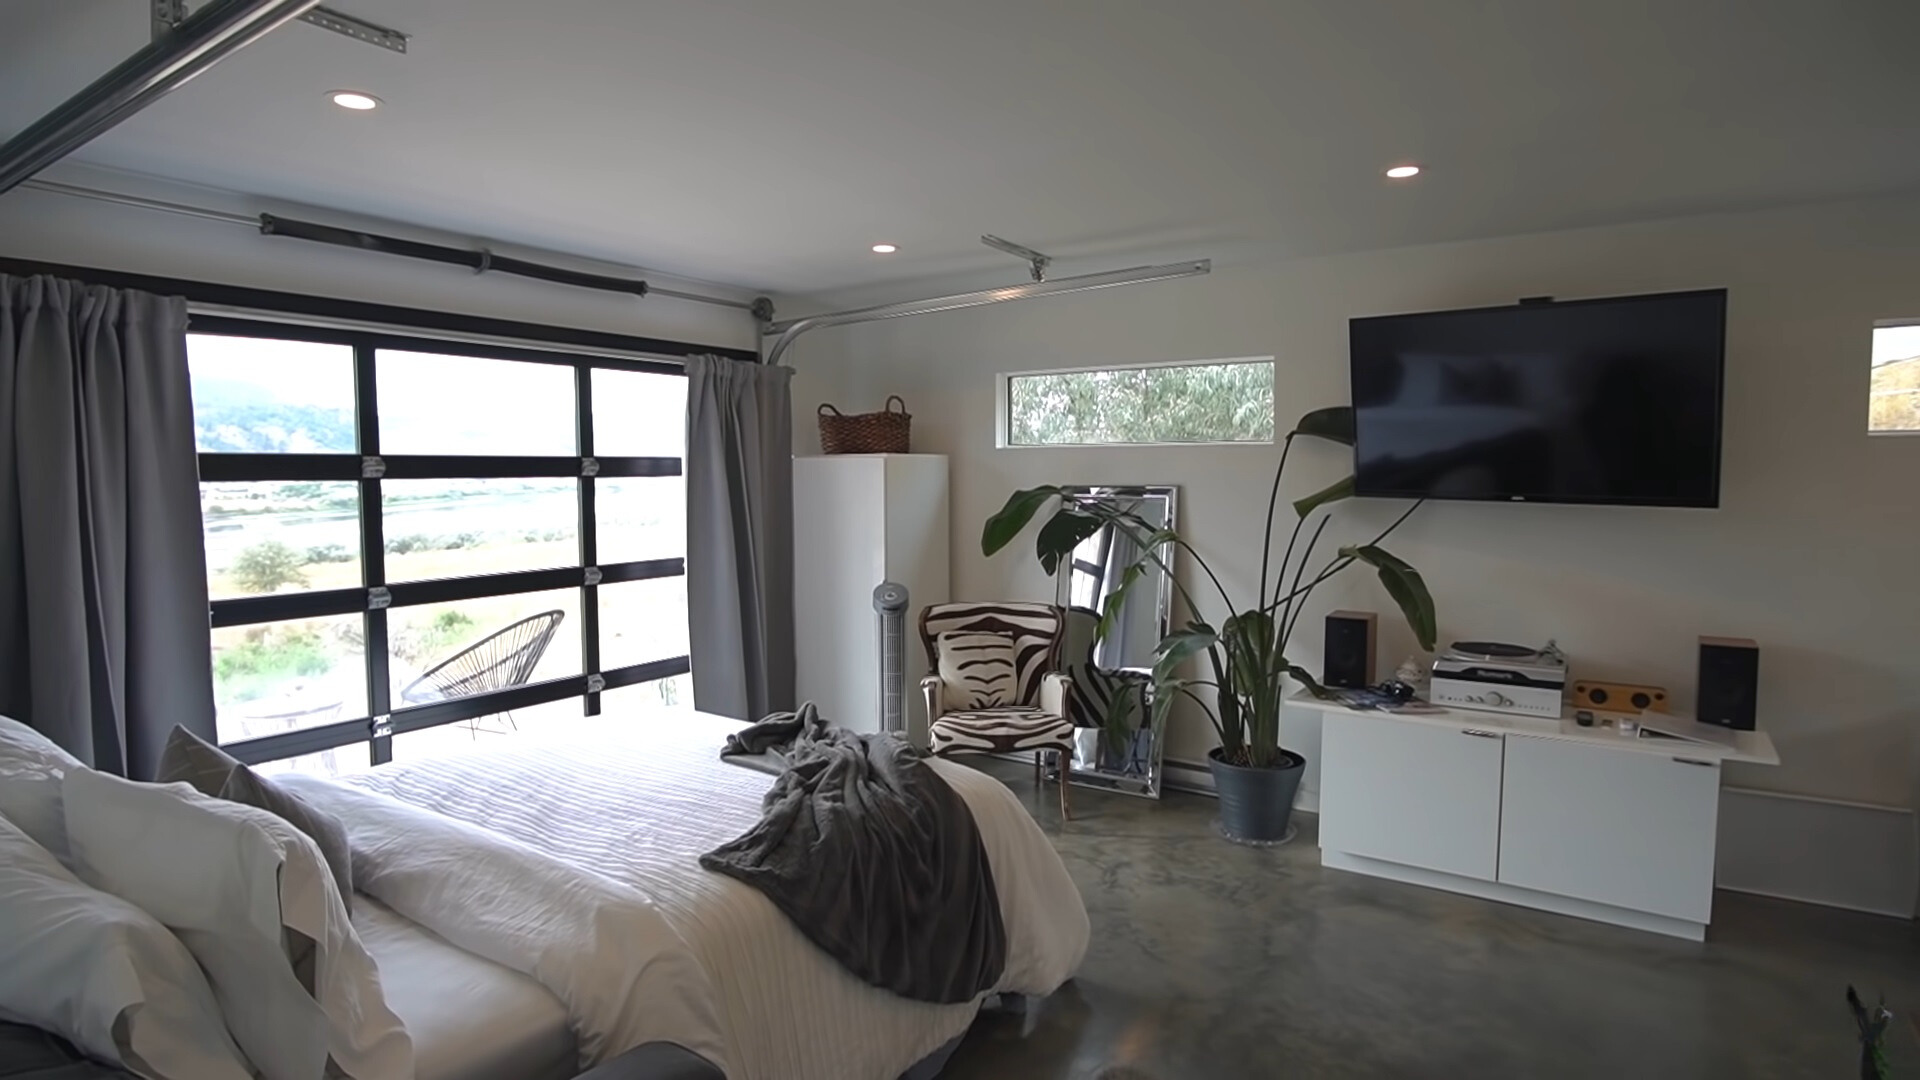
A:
{"x": 103, "y": 576}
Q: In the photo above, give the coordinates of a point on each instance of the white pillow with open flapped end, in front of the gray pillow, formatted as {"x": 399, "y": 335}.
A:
{"x": 252, "y": 900}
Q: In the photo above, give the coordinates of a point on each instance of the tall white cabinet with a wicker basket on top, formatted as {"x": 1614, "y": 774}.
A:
{"x": 861, "y": 520}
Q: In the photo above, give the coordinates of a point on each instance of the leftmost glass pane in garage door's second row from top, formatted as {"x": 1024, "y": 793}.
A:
{"x": 281, "y": 537}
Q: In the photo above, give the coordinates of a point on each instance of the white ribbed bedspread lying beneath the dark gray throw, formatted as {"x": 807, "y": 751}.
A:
{"x": 638, "y": 800}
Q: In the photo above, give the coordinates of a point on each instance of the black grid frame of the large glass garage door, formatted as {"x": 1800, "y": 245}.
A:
{"x": 377, "y": 597}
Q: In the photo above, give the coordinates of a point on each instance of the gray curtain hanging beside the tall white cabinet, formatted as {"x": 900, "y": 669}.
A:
{"x": 740, "y": 537}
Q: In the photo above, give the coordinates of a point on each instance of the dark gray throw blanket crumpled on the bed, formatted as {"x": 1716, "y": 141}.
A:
{"x": 875, "y": 858}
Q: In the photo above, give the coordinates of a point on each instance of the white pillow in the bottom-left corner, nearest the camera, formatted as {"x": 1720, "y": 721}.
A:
{"x": 103, "y": 973}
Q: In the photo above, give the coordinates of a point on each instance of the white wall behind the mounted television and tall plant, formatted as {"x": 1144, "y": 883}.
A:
{"x": 1815, "y": 549}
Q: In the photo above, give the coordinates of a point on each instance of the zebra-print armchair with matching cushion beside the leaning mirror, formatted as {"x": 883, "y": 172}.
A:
{"x": 1030, "y": 712}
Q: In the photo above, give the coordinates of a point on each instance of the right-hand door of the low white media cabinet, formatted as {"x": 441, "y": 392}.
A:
{"x": 1610, "y": 825}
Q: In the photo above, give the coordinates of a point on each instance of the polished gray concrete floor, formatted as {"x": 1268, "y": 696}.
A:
{"x": 1220, "y": 962}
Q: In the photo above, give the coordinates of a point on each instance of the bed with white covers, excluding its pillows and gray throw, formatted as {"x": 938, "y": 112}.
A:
{"x": 567, "y": 868}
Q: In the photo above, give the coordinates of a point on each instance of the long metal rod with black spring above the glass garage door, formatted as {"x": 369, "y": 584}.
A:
{"x": 477, "y": 260}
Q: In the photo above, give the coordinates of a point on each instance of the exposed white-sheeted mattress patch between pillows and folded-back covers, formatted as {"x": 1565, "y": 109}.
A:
{"x": 471, "y": 1019}
